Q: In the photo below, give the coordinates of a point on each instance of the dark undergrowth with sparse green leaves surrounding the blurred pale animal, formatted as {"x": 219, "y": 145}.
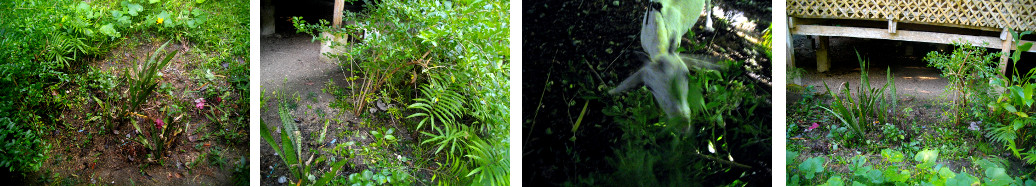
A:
{"x": 578, "y": 135}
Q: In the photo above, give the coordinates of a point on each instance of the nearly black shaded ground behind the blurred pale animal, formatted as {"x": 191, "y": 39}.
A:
{"x": 574, "y": 51}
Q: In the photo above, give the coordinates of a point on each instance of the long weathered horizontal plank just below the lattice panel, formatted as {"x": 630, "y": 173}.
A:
{"x": 904, "y": 36}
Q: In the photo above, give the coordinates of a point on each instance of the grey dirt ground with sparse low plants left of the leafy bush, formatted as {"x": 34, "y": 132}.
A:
{"x": 292, "y": 66}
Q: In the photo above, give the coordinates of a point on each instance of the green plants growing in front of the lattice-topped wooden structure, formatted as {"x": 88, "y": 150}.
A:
{"x": 975, "y": 135}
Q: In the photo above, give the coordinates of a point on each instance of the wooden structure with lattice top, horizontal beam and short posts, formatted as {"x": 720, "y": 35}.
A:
{"x": 931, "y": 21}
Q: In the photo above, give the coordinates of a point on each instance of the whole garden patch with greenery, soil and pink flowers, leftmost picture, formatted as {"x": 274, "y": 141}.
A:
{"x": 125, "y": 92}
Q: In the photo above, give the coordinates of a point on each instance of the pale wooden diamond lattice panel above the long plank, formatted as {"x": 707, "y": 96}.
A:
{"x": 989, "y": 14}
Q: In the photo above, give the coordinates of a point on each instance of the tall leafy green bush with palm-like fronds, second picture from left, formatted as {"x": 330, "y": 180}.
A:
{"x": 459, "y": 54}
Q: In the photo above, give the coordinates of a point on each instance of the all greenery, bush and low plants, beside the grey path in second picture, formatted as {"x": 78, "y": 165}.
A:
{"x": 424, "y": 101}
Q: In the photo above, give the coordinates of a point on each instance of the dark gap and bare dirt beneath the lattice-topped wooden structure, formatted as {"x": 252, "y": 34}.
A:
{"x": 913, "y": 78}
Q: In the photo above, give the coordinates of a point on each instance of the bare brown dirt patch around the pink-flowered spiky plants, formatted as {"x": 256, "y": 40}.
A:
{"x": 85, "y": 155}
